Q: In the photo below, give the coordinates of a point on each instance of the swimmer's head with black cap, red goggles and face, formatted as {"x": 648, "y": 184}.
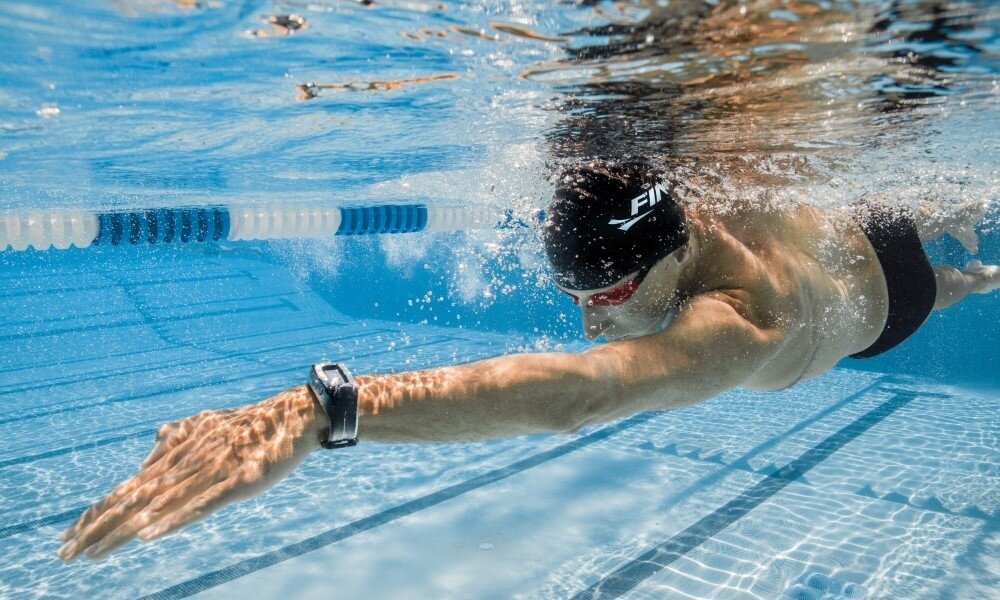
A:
{"x": 616, "y": 238}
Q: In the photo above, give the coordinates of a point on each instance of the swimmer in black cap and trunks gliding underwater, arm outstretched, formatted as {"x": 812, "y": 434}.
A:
{"x": 692, "y": 300}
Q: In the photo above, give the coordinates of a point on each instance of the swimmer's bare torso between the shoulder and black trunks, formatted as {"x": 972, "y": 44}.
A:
{"x": 809, "y": 272}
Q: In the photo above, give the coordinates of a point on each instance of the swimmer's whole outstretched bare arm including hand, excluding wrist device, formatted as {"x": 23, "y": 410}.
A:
{"x": 214, "y": 458}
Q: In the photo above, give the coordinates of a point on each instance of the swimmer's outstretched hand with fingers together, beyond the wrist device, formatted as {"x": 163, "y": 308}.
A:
{"x": 197, "y": 466}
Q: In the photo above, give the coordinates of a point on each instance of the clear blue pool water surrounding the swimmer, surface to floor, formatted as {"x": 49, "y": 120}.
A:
{"x": 877, "y": 480}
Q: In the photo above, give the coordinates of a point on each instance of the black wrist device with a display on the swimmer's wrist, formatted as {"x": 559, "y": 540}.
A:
{"x": 333, "y": 386}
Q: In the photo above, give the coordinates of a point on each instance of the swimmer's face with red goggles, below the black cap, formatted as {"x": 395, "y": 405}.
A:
{"x": 634, "y": 306}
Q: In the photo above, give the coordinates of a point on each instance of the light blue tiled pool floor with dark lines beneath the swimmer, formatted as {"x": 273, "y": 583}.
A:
{"x": 854, "y": 485}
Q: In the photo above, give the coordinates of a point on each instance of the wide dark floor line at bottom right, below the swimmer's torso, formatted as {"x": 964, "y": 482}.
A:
{"x": 634, "y": 572}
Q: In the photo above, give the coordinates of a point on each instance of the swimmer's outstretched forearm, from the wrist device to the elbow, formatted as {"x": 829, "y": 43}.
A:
{"x": 501, "y": 397}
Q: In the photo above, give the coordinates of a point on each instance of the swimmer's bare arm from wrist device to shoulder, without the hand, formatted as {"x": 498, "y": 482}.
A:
{"x": 708, "y": 349}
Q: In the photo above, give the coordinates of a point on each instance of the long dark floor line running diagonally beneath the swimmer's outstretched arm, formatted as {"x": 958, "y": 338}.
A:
{"x": 250, "y": 565}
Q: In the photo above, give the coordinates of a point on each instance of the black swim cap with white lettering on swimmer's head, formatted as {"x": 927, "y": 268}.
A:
{"x": 607, "y": 221}
